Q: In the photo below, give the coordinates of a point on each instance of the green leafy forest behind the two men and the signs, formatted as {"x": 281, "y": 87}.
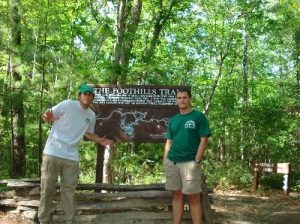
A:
{"x": 241, "y": 58}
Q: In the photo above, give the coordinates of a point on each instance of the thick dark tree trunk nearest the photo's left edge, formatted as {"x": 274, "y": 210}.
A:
{"x": 17, "y": 98}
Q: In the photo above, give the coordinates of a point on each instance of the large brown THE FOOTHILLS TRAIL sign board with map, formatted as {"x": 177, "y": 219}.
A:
{"x": 134, "y": 113}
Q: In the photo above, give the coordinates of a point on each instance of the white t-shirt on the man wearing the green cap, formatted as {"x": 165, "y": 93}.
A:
{"x": 68, "y": 130}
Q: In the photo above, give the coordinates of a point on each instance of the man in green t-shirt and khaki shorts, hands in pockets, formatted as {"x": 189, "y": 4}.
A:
{"x": 187, "y": 137}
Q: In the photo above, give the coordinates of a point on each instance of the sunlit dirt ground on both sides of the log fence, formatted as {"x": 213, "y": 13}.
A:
{"x": 234, "y": 207}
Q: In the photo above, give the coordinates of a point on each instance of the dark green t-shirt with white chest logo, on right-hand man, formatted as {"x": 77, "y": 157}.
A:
{"x": 185, "y": 131}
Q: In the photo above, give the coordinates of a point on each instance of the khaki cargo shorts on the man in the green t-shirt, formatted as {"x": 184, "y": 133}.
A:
{"x": 183, "y": 176}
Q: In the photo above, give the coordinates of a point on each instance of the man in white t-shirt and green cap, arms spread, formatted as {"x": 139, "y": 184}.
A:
{"x": 72, "y": 120}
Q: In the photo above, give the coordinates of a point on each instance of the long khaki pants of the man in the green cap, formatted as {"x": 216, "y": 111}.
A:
{"x": 68, "y": 170}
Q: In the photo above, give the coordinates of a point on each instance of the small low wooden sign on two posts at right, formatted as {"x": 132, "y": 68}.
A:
{"x": 280, "y": 168}
